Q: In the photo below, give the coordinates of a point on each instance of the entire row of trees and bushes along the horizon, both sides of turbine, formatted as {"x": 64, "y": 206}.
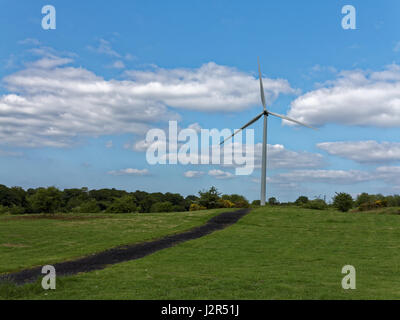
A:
{"x": 16, "y": 200}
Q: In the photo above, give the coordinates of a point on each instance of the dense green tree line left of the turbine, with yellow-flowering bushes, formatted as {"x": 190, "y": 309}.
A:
{"x": 16, "y": 200}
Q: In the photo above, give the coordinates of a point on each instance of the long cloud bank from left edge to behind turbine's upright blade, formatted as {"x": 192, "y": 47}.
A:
{"x": 53, "y": 104}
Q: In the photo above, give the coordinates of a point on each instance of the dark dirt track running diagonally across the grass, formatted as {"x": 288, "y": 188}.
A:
{"x": 129, "y": 252}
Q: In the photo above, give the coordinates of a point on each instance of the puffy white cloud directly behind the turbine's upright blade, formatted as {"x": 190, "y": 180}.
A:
{"x": 209, "y": 88}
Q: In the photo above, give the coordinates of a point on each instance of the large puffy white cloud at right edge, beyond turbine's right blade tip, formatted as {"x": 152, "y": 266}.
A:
{"x": 363, "y": 98}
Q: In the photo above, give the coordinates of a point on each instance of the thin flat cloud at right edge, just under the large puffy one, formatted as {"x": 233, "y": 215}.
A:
{"x": 364, "y": 151}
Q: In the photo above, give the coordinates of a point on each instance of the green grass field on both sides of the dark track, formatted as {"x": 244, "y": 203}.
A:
{"x": 272, "y": 253}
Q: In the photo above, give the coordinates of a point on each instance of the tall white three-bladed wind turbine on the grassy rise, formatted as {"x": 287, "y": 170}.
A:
{"x": 265, "y": 113}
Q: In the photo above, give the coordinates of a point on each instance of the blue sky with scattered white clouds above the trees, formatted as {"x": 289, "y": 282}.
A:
{"x": 71, "y": 115}
